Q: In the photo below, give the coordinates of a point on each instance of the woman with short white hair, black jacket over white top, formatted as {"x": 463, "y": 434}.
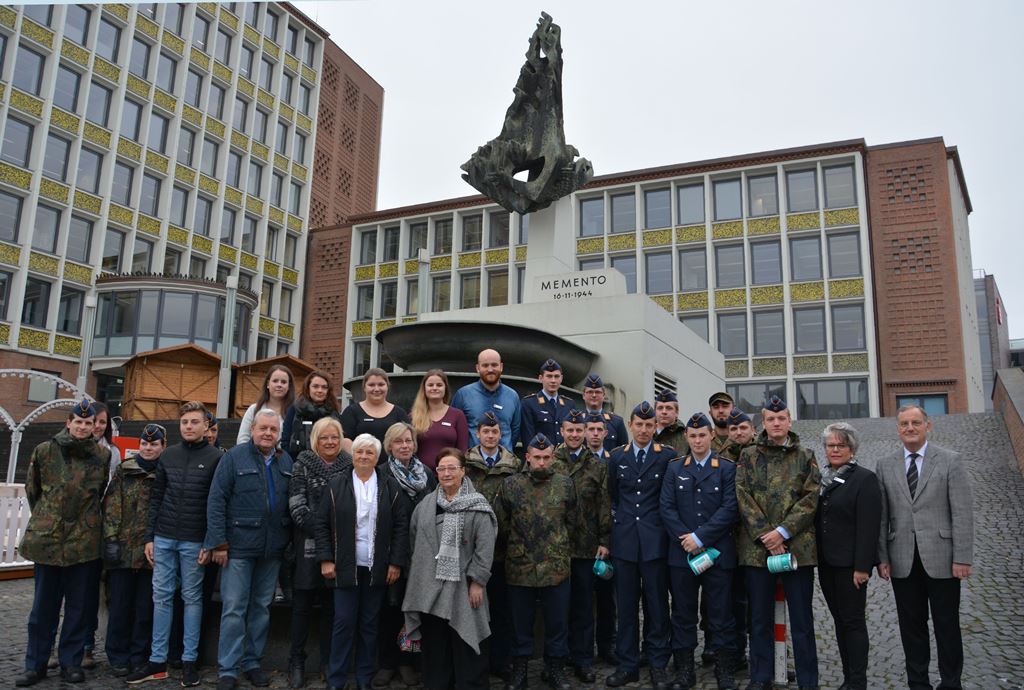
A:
{"x": 363, "y": 546}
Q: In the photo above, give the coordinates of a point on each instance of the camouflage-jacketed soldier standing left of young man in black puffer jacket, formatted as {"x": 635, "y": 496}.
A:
{"x": 130, "y": 576}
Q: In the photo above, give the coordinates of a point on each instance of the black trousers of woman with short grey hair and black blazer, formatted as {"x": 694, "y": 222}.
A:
{"x": 846, "y": 603}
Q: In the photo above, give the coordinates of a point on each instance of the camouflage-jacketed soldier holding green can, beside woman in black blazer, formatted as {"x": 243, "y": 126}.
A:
{"x": 778, "y": 484}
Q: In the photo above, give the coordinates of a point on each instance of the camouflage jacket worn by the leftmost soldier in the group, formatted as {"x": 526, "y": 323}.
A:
{"x": 65, "y": 486}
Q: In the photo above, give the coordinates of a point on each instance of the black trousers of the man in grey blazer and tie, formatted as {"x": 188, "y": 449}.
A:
{"x": 915, "y": 595}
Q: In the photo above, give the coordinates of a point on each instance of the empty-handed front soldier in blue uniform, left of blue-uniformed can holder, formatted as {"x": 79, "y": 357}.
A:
{"x": 639, "y": 546}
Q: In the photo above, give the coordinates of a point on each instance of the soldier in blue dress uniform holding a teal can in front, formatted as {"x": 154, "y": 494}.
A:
{"x": 699, "y": 509}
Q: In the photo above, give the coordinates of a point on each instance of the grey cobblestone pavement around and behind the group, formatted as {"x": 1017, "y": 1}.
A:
{"x": 993, "y": 614}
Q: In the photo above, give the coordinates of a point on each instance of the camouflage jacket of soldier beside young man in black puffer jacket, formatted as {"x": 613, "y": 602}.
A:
{"x": 126, "y": 506}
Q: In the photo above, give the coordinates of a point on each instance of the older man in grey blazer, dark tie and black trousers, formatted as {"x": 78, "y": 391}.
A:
{"x": 926, "y": 546}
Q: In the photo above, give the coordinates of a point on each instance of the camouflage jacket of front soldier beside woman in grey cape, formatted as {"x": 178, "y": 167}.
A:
{"x": 536, "y": 515}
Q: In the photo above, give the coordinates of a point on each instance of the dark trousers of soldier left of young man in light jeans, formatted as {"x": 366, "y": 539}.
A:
{"x": 130, "y": 624}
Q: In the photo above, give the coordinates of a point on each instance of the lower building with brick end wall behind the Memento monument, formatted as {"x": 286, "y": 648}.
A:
{"x": 810, "y": 270}
